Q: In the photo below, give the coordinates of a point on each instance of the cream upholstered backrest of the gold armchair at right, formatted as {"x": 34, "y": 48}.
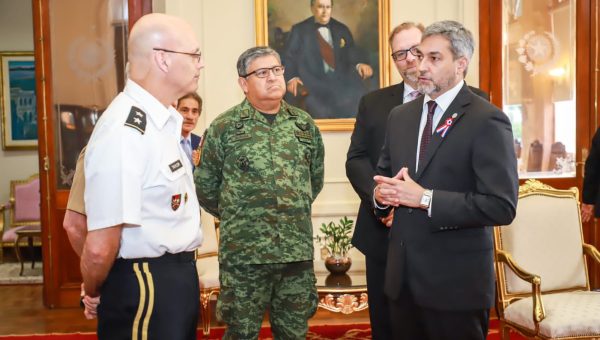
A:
{"x": 555, "y": 256}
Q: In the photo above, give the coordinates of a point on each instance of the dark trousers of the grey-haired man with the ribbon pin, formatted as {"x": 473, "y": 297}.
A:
{"x": 413, "y": 322}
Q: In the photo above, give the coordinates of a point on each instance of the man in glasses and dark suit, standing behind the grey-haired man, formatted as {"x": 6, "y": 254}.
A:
{"x": 371, "y": 232}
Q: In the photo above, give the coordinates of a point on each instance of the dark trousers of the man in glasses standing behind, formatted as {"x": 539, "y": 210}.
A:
{"x": 381, "y": 328}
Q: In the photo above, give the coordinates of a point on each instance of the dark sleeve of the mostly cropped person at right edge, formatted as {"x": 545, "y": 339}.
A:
{"x": 591, "y": 180}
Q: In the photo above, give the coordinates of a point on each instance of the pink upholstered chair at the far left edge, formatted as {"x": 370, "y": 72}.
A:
{"x": 24, "y": 213}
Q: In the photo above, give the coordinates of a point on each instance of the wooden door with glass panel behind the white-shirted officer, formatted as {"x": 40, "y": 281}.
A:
{"x": 80, "y": 55}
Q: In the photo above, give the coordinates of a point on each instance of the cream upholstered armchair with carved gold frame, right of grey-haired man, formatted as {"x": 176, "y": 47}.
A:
{"x": 541, "y": 266}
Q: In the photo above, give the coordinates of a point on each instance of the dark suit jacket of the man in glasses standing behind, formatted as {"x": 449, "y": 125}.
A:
{"x": 370, "y": 235}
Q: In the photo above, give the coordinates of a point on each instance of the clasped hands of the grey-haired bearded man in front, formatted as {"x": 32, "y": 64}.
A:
{"x": 398, "y": 190}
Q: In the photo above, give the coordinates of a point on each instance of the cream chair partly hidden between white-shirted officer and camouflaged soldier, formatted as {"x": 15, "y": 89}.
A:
{"x": 207, "y": 263}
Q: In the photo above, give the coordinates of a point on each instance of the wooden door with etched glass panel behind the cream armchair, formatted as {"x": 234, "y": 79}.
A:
{"x": 539, "y": 61}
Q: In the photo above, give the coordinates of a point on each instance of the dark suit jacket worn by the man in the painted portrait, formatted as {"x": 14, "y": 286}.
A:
{"x": 331, "y": 95}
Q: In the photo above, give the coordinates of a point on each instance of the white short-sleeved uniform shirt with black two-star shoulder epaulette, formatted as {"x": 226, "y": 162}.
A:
{"x": 137, "y": 174}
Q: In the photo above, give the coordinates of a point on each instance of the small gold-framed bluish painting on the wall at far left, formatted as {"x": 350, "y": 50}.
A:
{"x": 18, "y": 101}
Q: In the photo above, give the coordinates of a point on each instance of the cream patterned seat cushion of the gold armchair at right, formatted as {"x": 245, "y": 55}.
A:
{"x": 567, "y": 314}
